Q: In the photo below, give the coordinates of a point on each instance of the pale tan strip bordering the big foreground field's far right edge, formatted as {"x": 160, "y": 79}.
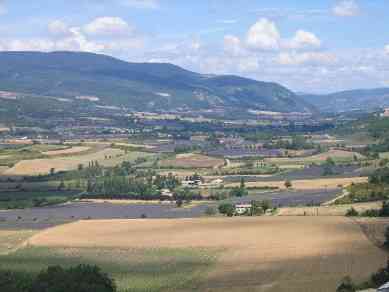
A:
{"x": 332, "y": 210}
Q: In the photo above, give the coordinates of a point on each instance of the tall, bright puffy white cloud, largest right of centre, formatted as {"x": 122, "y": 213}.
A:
{"x": 263, "y": 35}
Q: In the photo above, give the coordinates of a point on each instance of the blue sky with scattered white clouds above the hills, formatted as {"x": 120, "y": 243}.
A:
{"x": 316, "y": 46}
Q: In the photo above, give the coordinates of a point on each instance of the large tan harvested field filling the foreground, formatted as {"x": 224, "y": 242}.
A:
{"x": 258, "y": 254}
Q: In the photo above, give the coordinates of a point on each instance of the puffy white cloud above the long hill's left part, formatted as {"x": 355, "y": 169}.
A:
{"x": 108, "y": 26}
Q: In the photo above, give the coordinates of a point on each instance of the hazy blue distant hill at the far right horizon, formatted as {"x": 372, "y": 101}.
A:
{"x": 359, "y": 99}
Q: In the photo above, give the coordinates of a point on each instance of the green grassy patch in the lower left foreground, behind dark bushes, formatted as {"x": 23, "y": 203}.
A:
{"x": 137, "y": 270}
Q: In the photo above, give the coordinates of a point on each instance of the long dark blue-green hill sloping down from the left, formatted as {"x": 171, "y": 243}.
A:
{"x": 140, "y": 86}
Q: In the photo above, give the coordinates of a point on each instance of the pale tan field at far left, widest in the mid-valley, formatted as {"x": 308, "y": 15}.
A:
{"x": 106, "y": 157}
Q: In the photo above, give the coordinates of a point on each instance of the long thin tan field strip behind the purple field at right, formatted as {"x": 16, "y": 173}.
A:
{"x": 309, "y": 184}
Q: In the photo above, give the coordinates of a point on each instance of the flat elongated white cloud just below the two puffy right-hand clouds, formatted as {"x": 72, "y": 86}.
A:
{"x": 286, "y": 58}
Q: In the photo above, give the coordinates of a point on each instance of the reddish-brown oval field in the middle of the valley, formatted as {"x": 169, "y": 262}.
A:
{"x": 192, "y": 161}
